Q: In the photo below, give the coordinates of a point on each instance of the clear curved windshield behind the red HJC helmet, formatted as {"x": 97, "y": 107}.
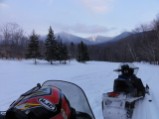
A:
{"x": 74, "y": 94}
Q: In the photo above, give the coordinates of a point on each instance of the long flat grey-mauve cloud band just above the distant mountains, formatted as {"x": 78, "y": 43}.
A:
{"x": 84, "y": 29}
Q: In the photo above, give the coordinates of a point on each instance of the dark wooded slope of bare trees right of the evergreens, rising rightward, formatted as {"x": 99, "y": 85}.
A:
{"x": 141, "y": 45}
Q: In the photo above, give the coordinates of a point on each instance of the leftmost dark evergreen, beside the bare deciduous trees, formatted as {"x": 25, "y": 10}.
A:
{"x": 33, "y": 47}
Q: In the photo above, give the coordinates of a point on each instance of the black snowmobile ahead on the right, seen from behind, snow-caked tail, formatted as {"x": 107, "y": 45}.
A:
{"x": 120, "y": 103}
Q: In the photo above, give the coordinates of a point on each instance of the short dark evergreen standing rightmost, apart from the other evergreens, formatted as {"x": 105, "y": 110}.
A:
{"x": 82, "y": 53}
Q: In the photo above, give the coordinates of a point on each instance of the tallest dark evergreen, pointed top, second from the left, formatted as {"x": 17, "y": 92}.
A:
{"x": 51, "y": 46}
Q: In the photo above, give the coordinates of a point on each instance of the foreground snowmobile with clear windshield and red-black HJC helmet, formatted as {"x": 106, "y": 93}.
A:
{"x": 54, "y": 99}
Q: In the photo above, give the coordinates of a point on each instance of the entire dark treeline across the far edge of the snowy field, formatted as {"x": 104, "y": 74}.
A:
{"x": 141, "y": 45}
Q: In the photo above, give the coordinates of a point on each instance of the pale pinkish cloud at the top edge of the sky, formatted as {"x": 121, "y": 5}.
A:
{"x": 98, "y": 6}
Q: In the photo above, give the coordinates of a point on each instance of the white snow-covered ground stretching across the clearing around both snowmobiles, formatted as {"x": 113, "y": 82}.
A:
{"x": 95, "y": 78}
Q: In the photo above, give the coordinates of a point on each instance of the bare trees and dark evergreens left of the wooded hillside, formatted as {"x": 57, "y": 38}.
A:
{"x": 15, "y": 45}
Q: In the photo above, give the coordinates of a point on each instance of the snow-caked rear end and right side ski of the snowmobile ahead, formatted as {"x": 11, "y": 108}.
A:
{"x": 119, "y": 105}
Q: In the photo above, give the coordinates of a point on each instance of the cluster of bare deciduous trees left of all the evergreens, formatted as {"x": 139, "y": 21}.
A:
{"x": 13, "y": 40}
